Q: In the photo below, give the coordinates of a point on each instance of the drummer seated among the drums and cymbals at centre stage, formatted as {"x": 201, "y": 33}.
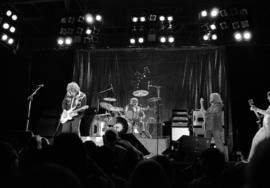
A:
{"x": 135, "y": 115}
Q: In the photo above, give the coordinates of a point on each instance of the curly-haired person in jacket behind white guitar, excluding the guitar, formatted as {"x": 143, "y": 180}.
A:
{"x": 74, "y": 99}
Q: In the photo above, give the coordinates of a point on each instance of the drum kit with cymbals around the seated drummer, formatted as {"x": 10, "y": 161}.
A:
{"x": 114, "y": 116}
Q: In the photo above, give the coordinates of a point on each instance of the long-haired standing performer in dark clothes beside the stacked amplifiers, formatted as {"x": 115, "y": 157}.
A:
{"x": 213, "y": 120}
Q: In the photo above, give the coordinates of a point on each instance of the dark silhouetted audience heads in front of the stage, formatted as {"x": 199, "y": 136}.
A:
{"x": 68, "y": 162}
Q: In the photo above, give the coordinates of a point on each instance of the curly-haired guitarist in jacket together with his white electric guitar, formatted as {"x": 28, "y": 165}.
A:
{"x": 73, "y": 105}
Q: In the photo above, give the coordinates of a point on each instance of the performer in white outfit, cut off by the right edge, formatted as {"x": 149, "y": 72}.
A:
{"x": 264, "y": 131}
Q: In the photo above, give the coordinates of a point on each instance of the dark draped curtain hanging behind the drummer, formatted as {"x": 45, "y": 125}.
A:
{"x": 183, "y": 75}
